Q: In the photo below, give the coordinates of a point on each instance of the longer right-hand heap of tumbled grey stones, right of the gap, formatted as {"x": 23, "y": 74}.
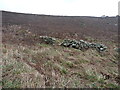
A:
{"x": 83, "y": 45}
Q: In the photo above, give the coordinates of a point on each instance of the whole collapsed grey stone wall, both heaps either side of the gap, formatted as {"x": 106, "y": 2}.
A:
{"x": 81, "y": 44}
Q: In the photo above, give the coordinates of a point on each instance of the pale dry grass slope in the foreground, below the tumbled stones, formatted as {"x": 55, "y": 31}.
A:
{"x": 44, "y": 65}
